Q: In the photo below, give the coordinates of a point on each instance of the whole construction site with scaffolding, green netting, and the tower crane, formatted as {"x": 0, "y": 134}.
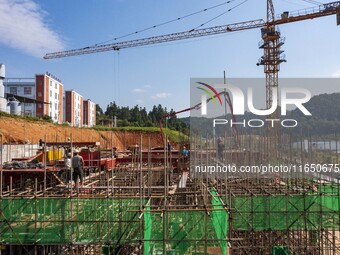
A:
{"x": 200, "y": 195}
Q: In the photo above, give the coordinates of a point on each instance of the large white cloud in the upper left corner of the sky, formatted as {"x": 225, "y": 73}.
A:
{"x": 23, "y": 27}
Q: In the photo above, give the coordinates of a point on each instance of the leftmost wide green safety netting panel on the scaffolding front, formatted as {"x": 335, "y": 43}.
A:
{"x": 55, "y": 221}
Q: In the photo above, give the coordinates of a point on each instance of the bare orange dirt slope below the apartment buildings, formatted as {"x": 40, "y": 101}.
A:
{"x": 17, "y": 131}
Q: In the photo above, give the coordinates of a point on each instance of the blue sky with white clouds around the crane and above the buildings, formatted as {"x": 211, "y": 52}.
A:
{"x": 155, "y": 74}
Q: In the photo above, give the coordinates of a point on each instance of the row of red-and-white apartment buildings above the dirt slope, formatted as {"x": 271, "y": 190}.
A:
{"x": 43, "y": 95}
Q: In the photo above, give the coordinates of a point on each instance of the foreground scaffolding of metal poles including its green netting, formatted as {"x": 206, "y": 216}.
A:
{"x": 150, "y": 204}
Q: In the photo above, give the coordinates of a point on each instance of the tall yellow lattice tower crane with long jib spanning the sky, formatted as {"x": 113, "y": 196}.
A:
{"x": 271, "y": 44}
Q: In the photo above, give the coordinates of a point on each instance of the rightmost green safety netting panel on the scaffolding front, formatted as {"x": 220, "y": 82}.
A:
{"x": 309, "y": 211}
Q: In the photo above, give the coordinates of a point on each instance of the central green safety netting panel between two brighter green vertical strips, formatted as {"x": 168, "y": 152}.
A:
{"x": 181, "y": 232}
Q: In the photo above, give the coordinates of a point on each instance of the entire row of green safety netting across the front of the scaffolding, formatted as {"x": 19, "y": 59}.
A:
{"x": 116, "y": 221}
